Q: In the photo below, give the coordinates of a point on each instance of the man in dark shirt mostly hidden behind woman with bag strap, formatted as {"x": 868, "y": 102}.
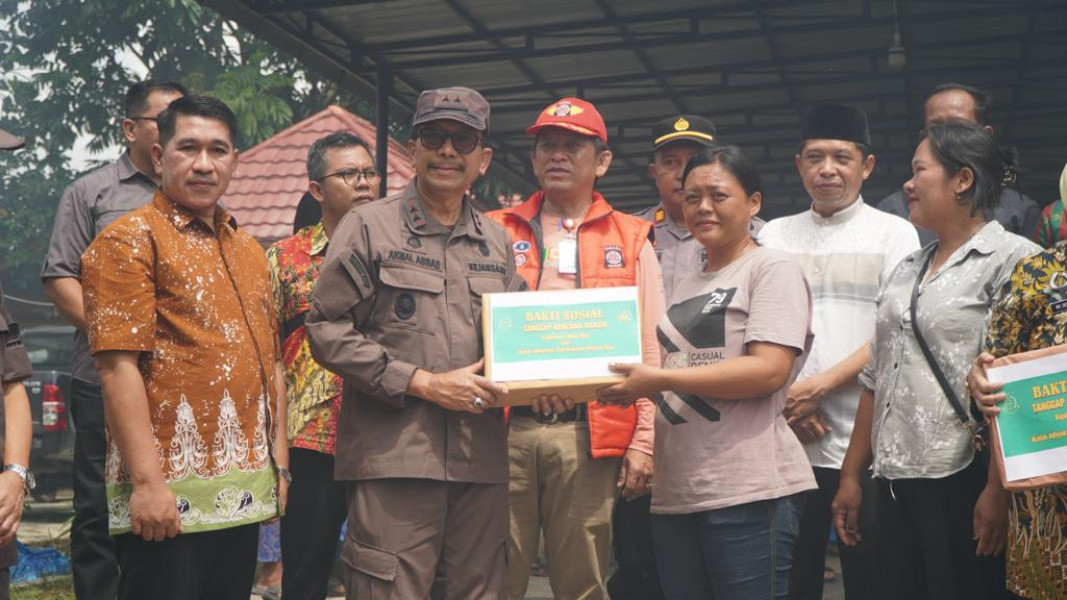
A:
{"x": 957, "y": 102}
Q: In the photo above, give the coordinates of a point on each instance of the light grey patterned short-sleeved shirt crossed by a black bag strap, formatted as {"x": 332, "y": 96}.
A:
{"x": 917, "y": 434}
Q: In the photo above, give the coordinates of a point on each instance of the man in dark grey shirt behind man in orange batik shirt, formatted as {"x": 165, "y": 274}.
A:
{"x": 87, "y": 208}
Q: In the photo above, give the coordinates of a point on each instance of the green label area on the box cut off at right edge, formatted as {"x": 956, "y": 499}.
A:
{"x": 1034, "y": 417}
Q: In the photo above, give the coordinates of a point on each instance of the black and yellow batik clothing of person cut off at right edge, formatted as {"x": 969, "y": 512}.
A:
{"x": 1031, "y": 315}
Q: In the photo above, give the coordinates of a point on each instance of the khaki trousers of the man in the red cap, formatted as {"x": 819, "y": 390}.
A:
{"x": 558, "y": 487}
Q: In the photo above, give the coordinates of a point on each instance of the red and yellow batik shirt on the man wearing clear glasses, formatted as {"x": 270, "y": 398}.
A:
{"x": 314, "y": 393}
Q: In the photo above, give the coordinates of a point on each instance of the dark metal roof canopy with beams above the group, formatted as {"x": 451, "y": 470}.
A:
{"x": 755, "y": 68}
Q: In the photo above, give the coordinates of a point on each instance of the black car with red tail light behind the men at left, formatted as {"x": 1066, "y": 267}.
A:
{"x": 52, "y": 459}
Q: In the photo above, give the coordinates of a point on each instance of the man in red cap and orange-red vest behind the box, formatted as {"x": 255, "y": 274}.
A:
{"x": 569, "y": 456}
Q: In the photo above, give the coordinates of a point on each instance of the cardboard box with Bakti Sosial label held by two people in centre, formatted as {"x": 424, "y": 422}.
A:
{"x": 560, "y": 343}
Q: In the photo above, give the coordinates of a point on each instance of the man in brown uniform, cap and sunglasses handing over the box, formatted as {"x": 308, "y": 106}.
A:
{"x": 397, "y": 314}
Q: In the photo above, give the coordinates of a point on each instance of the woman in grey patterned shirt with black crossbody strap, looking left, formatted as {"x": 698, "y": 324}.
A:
{"x": 941, "y": 520}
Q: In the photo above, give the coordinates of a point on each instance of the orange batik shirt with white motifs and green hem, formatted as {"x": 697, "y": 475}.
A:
{"x": 196, "y": 305}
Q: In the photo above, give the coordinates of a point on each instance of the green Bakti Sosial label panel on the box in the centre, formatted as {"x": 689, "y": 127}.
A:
{"x": 588, "y": 331}
